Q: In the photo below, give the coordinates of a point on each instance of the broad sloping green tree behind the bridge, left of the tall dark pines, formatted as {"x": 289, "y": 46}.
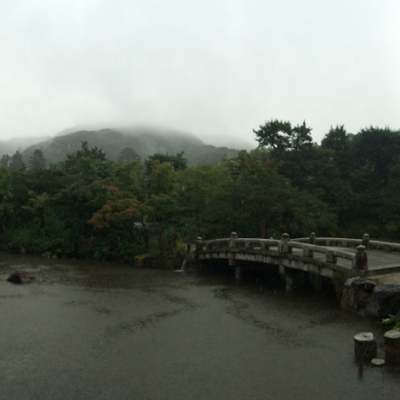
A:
{"x": 269, "y": 205}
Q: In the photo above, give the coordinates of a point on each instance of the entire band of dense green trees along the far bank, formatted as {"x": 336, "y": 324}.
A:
{"x": 130, "y": 209}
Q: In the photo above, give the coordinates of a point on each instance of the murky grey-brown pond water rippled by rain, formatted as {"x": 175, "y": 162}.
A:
{"x": 96, "y": 331}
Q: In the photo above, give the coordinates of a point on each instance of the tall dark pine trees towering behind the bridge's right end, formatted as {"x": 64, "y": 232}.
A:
{"x": 355, "y": 174}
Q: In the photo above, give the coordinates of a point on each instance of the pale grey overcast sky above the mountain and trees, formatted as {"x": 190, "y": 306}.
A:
{"x": 211, "y": 67}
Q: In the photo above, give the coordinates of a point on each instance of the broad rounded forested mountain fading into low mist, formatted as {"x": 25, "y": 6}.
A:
{"x": 144, "y": 140}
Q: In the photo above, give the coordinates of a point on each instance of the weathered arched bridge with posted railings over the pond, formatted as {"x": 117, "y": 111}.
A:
{"x": 323, "y": 256}
